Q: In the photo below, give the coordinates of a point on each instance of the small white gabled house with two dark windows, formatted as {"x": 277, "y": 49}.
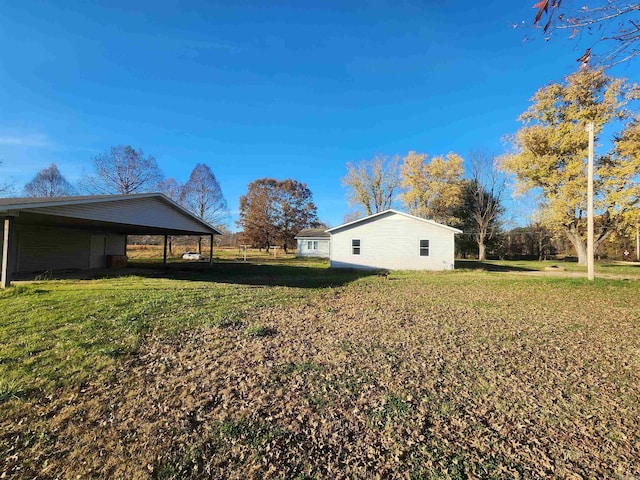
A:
{"x": 393, "y": 240}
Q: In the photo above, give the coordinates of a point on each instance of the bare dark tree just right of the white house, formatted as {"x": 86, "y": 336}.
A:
{"x": 483, "y": 200}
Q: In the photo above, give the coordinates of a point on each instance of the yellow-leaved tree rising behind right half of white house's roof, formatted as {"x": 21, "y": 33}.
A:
{"x": 433, "y": 190}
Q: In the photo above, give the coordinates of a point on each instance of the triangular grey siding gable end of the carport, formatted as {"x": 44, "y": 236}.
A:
{"x": 151, "y": 212}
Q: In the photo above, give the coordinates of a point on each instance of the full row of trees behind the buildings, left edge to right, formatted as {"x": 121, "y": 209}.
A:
{"x": 545, "y": 157}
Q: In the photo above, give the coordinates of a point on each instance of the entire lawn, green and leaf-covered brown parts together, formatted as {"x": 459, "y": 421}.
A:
{"x": 291, "y": 370}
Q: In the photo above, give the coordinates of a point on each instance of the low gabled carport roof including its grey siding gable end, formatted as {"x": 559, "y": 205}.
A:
{"x": 79, "y": 210}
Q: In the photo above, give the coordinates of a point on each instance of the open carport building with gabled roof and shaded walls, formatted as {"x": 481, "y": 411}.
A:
{"x": 84, "y": 232}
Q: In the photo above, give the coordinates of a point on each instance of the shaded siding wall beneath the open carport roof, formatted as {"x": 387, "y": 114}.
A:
{"x": 47, "y": 248}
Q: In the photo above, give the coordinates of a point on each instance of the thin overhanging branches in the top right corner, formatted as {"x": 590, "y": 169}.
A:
{"x": 614, "y": 23}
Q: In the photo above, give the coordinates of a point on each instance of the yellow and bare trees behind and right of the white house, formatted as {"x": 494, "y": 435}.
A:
{"x": 546, "y": 156}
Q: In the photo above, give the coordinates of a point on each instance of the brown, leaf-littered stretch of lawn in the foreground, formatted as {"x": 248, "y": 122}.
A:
{"x": 421, "y": 376}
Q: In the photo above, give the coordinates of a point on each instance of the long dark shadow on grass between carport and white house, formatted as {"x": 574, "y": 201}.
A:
{"x": 298, "y": 276}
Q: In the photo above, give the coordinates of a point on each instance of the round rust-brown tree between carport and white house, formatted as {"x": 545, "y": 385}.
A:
{"x": 275, "y": 211}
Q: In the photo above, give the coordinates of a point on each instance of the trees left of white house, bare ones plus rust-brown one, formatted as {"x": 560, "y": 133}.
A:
{"x": 271, "y": 213}
